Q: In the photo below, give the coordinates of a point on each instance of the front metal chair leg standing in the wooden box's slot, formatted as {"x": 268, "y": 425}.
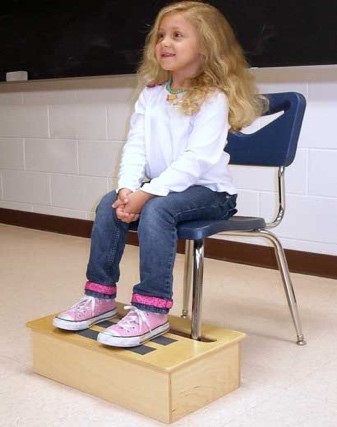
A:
{"x": 198, "y": 271}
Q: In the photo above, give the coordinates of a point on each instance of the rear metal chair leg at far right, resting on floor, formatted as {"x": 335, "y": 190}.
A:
{"x": 287, "y": 283}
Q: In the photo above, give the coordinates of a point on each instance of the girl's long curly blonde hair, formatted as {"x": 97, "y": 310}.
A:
{"x": 223, "y": 65}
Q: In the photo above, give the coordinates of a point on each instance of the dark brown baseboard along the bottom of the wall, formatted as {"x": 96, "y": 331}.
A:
{"x": 244, "y": 253}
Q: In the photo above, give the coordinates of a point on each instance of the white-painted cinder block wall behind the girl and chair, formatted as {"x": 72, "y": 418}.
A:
{"x": 61, "y": 140}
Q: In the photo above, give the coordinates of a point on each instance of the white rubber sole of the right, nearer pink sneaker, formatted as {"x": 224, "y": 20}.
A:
{"x": 116, "y": 341}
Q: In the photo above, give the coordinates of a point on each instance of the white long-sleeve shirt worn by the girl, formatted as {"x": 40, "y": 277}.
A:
{"x": 174, "y": 150}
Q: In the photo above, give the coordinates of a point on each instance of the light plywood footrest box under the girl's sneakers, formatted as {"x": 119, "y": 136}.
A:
{"x": 165, "y": 378}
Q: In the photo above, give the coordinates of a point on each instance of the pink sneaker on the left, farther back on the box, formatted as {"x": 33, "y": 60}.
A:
{"x": 86, "y": 312}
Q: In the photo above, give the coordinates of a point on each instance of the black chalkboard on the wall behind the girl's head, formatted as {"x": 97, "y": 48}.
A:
{"x": 73, "y": 38}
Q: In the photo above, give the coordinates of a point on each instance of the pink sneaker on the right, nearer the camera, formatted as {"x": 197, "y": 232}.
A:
{"x": 135, "y": 328}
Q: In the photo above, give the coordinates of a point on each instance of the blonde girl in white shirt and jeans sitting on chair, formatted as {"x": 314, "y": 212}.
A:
{"x": 173, "y": 167}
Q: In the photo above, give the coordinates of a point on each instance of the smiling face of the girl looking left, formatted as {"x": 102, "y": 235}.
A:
{"x": 177, "y": 49}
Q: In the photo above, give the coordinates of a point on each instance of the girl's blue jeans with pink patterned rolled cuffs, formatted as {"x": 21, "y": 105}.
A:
{"x": 157, "y": 234}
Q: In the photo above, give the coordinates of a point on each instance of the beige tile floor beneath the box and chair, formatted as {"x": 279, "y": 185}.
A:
{"x": 282, "y": 384}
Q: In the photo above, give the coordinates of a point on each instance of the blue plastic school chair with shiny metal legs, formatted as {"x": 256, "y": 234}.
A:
{"x": 274, "y": 145}
